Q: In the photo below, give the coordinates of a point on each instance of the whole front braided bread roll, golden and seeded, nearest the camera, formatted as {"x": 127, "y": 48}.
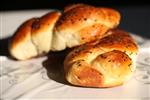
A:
{"x": 106, "y": 62}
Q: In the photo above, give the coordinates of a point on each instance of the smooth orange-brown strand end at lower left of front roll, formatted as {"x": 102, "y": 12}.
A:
{"x": 84, "y": 76}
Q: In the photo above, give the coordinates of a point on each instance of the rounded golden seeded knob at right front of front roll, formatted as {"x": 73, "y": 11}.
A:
{"x": 116, "y": 67}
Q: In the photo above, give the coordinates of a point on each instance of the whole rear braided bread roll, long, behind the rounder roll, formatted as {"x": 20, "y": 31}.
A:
{"x": 77, "y": 25}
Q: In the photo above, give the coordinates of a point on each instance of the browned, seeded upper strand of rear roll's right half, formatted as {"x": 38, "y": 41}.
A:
{"x": 81, "y": 15}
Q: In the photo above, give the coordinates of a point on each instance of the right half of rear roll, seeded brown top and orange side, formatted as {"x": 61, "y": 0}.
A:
{"x": 82, "y": 23}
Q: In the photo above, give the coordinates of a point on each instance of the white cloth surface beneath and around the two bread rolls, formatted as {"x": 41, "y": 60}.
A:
{"x": 28, "y": 79}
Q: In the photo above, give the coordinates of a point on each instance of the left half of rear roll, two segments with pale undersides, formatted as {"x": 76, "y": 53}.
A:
{"x": 34, "y": 37}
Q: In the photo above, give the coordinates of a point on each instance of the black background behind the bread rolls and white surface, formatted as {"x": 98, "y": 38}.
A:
{"x": 135, "y": 14}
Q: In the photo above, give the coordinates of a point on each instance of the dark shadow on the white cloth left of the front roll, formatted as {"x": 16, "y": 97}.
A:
{"x": 55, "y": 67}
